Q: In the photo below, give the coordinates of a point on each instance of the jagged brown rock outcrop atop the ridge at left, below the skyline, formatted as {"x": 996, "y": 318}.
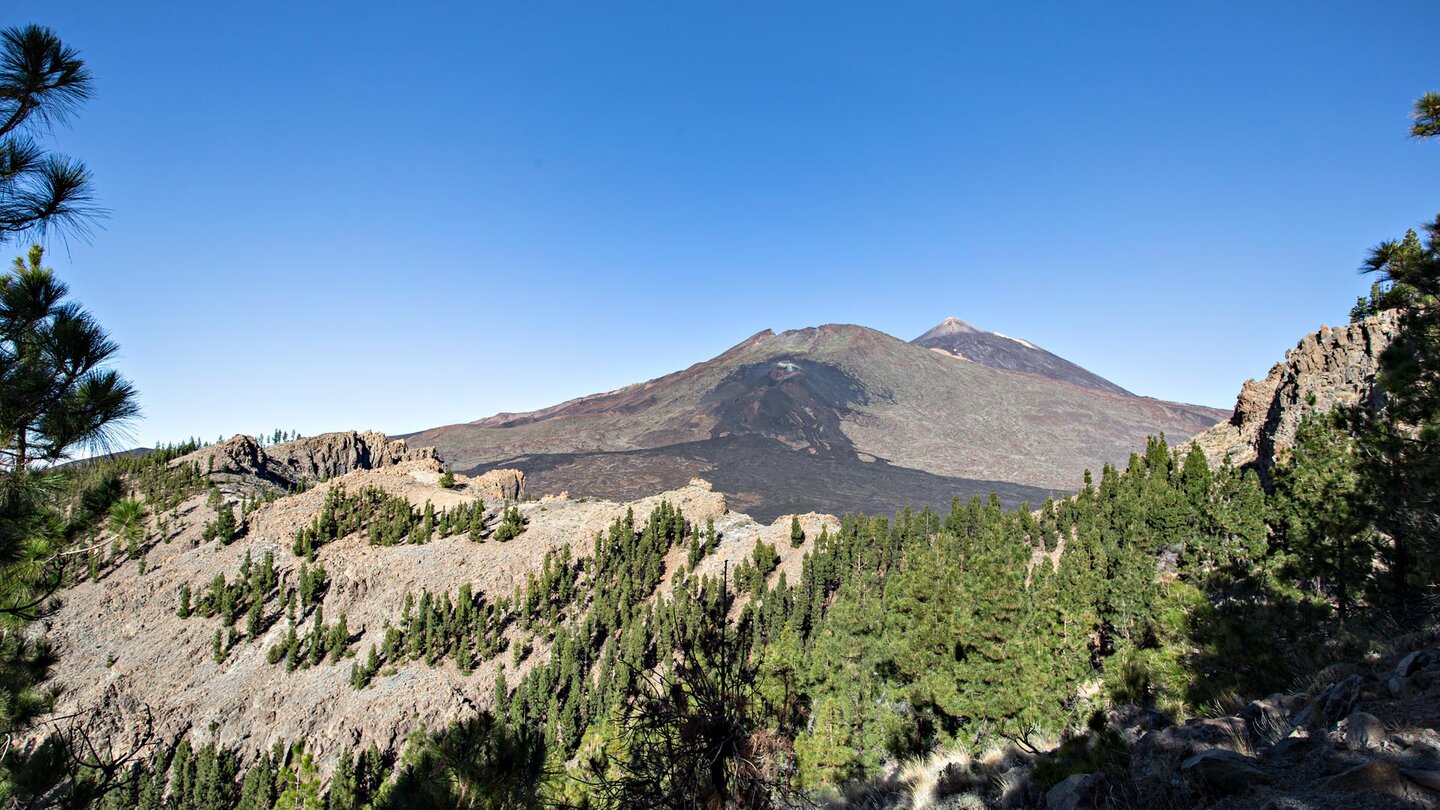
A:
{"x": 306, "y": 460}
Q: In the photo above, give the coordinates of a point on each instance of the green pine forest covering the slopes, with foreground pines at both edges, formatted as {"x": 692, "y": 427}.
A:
{"x": 1167, "y": 584}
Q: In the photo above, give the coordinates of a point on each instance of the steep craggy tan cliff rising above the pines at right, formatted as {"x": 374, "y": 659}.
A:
{"x": 1328, "y": 368}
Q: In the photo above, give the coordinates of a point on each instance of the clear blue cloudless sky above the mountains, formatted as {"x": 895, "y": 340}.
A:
{"x": 400, "y": 215}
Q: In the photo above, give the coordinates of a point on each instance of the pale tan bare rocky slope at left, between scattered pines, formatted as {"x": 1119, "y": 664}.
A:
{"x": 126, "y": 652}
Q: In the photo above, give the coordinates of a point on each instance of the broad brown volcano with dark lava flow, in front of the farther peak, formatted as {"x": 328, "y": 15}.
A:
{"x": 826, "y": 419}
